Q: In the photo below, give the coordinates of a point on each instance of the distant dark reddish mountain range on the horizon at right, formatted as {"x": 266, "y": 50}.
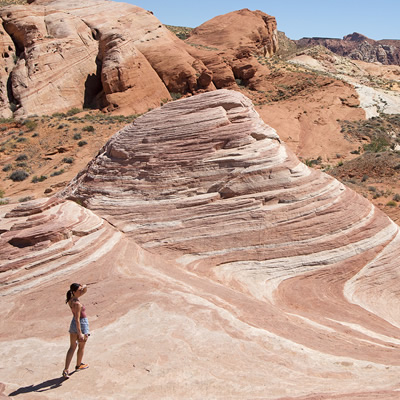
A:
{"x": 359, "y": 47}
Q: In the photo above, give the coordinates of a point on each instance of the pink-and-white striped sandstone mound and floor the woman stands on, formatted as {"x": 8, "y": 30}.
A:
{"x": 230, "y": 269}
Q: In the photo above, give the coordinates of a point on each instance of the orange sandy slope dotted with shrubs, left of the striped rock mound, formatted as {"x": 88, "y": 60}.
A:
{"x": 51, "y": 146}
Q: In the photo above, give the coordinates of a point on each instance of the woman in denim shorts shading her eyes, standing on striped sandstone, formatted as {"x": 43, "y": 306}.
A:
{"x": 79, "y": 328}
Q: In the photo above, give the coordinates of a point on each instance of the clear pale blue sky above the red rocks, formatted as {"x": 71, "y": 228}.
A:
{"x": 377, "y": 19}
